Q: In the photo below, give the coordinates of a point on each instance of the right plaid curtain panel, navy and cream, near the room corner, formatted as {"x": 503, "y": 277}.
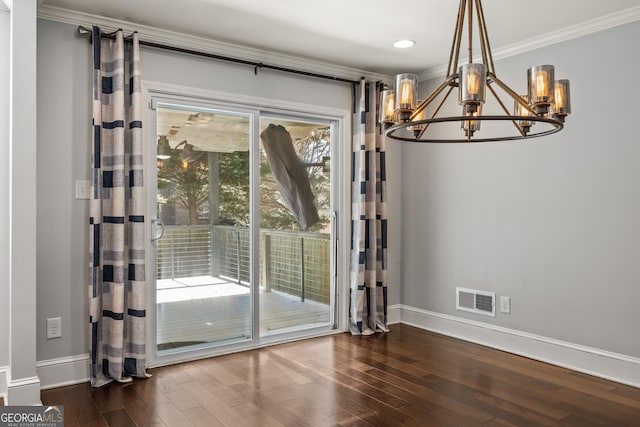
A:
{"x": 368, "y": 303}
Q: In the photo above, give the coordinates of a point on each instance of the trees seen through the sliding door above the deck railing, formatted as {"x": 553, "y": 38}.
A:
{"x": 186, "y": 188}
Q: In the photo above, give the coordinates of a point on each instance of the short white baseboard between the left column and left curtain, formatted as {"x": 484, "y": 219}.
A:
{"x": 63, "y": 371}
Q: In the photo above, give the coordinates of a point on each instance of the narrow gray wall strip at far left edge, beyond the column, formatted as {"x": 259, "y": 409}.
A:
{"x": 4, "y": 188}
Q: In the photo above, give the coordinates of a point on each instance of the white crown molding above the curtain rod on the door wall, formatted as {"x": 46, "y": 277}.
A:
{"x": 171, "y": 38}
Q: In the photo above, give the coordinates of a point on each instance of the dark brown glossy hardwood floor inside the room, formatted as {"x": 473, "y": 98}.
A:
{"x": 407, "y": 377}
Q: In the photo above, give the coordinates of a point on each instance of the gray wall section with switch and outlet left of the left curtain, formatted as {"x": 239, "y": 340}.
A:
{"x": 64, "y": 120}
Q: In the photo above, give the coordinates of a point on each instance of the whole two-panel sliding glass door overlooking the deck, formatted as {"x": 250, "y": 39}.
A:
{"x": 244, "y": 248}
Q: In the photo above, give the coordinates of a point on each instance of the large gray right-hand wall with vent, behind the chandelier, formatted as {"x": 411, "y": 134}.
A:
{"x": 554, "y": 222}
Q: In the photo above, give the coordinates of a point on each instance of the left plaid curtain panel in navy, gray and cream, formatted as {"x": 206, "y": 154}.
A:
{"x": 117, "y": 294}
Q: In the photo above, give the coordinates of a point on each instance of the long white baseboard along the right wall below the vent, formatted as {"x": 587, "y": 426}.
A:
{"x": 601, "y": 363}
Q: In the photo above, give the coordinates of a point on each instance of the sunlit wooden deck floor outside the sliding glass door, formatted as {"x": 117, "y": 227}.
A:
{"x": 206, "y": 309}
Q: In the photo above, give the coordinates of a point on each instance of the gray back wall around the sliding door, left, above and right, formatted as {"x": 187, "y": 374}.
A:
{"x": 64, "y": 117}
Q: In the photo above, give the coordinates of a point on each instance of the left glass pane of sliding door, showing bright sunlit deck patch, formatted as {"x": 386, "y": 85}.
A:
{"x": 203, "y": 198}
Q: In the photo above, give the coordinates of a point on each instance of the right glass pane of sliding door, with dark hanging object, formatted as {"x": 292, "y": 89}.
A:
{"x": 295, "y": 225}
